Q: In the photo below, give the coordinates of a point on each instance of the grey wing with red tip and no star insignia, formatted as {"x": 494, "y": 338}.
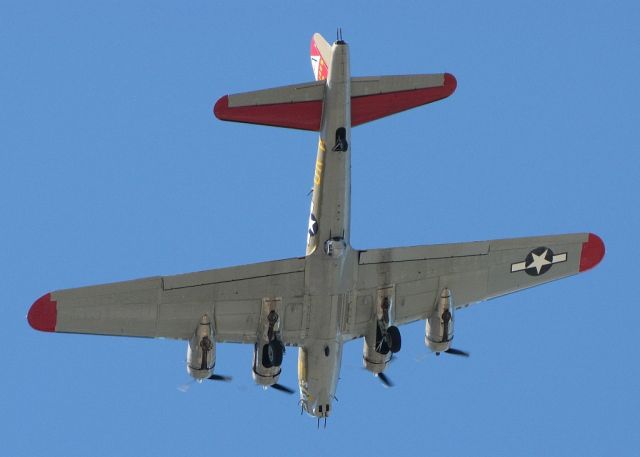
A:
{"x": 171, "y": 306}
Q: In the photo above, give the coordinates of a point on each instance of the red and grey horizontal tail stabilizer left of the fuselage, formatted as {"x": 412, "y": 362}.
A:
{"x": 298, "y": 106}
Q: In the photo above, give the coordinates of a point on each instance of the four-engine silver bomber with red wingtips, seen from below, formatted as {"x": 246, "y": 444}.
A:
{"x": 335, "y": 293}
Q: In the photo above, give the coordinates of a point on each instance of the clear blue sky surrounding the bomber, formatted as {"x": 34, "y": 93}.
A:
{"x": 113, "y": 167}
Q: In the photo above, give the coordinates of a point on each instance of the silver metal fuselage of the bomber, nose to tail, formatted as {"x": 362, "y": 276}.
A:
{"x": 328, "y": 278}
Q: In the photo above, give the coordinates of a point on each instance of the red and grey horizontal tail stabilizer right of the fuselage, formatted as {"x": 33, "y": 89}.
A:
{"x": 379, "y": 96}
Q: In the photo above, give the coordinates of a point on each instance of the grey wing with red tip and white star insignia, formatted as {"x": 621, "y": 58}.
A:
{"x": 472, "y": 271}
